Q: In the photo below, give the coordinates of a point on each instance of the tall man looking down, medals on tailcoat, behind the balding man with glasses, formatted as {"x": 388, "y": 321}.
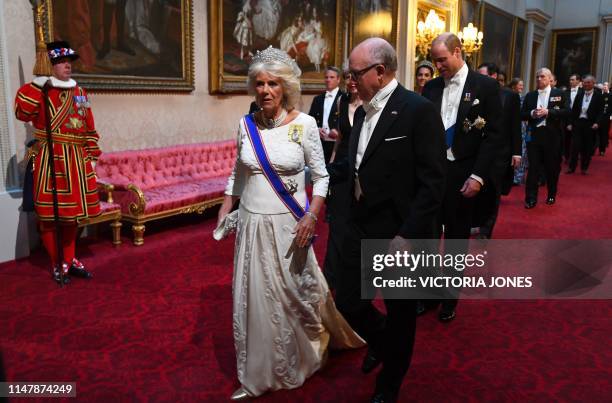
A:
{"x": 470, "y": 107}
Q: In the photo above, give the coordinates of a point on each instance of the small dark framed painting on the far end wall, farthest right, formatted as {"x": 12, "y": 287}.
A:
{"x": 574, "y": 51}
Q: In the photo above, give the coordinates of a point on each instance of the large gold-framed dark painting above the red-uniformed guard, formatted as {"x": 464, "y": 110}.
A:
{"x": 126, "y": 45}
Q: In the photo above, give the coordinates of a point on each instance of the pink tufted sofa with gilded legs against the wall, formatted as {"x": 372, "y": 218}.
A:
{"x": 157, "y": 183}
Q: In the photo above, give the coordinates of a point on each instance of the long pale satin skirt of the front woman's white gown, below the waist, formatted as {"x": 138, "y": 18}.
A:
{"x": 284, "y": 315}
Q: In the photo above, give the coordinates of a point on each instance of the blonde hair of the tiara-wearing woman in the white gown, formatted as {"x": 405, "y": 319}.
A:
{"x": 290, "y": 81}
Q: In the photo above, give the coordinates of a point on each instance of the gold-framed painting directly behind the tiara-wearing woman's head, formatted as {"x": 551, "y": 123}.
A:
{"x": 309, "y": 31}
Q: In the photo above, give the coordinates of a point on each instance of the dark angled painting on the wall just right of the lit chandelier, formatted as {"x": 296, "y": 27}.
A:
{"x": 497, "y": 27}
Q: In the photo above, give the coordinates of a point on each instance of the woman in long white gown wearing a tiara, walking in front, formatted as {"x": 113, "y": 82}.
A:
{"x": 284, "y": 317}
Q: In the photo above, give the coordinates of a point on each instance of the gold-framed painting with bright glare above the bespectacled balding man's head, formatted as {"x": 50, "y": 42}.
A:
{"x": 373, "y": 18}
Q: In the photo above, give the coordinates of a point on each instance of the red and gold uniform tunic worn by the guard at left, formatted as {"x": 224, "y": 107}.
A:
{"x": 75, "y": 147}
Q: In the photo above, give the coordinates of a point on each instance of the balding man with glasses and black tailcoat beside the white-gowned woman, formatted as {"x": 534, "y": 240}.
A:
{"x": 397, "y": 164}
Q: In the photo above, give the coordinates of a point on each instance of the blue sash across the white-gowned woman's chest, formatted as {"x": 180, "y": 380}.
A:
{"x": 270, "y": 173}
